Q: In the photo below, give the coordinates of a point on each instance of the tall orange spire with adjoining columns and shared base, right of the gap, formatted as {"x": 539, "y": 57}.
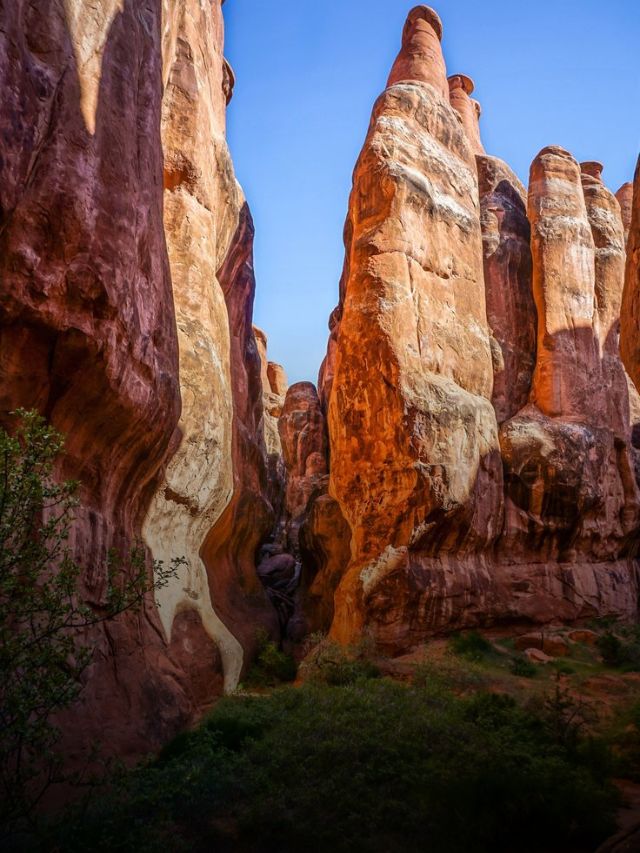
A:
{"x": 465, "y": 305}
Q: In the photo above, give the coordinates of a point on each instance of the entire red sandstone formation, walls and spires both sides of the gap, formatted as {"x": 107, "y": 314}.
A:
{"x": 468, "y": 456}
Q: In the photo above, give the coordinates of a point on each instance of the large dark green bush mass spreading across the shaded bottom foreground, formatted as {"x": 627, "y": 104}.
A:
{"x": 374, "y": 766}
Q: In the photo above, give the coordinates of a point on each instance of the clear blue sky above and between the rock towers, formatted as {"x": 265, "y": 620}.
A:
{"x": 563, "y": 72}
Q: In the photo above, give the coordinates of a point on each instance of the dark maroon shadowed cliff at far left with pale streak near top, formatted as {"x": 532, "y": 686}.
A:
{"x": 87, "y": 324}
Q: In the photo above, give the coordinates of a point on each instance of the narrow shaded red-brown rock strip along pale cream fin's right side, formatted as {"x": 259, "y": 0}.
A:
{"x": 229, "y": 549}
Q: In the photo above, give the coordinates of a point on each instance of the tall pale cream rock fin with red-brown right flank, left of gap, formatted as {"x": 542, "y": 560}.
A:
{"x": 212, "y": 507}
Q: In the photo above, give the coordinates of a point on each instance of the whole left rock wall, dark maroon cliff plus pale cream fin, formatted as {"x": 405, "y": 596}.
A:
{"x": 125, "y": 317}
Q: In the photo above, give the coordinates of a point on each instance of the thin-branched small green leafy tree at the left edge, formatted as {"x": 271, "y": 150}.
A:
{"x": 42, "y": 613}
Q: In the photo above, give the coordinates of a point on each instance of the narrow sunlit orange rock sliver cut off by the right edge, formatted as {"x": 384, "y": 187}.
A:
{"x": 630, "y": 317}
